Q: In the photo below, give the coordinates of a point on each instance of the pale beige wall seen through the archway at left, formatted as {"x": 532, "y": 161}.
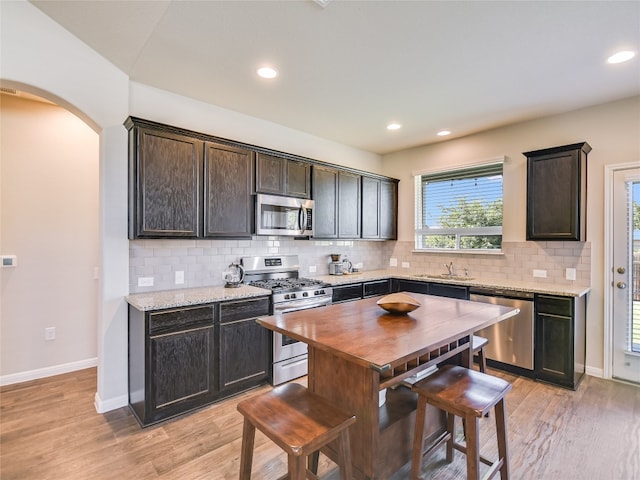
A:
{"x": 49, "y": 219}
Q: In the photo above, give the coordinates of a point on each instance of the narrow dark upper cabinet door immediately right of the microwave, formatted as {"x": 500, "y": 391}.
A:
{"x": 325, "y": 199}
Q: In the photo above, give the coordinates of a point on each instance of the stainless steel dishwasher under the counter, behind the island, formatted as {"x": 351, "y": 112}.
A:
{"x": 511, "y": 341}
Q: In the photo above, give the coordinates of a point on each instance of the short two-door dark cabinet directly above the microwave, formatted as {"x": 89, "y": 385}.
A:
{"x": 282, "y": 176}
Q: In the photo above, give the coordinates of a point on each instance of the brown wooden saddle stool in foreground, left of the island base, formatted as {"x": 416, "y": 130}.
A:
{"x": 300, "y": 422}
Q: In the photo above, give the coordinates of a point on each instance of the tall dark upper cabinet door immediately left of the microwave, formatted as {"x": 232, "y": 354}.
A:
{"x": 228, "y": 202}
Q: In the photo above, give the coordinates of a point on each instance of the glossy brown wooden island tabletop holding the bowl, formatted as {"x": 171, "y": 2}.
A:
{"x": 364, "y": 333}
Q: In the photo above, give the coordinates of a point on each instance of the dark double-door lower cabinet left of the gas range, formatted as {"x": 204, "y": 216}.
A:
{"x": 184, "y": 358}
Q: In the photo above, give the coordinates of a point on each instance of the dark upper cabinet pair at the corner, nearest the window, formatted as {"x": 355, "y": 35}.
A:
{"x": 379, "y": 208}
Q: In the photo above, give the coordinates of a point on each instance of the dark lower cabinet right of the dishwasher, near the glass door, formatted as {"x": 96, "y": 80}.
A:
{"x": 560, "y": 340}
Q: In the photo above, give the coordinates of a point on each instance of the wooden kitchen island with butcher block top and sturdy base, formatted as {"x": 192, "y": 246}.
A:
{"x": 357, "y": 349}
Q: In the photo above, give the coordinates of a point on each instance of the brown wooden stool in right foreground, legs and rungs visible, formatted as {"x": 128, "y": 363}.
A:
{"x": 470, "y": 395}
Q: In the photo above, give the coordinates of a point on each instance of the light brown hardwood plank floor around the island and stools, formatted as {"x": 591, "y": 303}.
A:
{"x": 50, "y": 430}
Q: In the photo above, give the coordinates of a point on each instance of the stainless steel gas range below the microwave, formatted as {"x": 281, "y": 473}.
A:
{"x": 279, "y": 273}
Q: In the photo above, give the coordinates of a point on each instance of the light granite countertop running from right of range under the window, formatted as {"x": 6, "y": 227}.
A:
{"x": 511, "y": 285}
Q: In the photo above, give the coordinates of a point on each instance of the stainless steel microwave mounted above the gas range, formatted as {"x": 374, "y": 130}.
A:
{"x": 284, "y": 216}
